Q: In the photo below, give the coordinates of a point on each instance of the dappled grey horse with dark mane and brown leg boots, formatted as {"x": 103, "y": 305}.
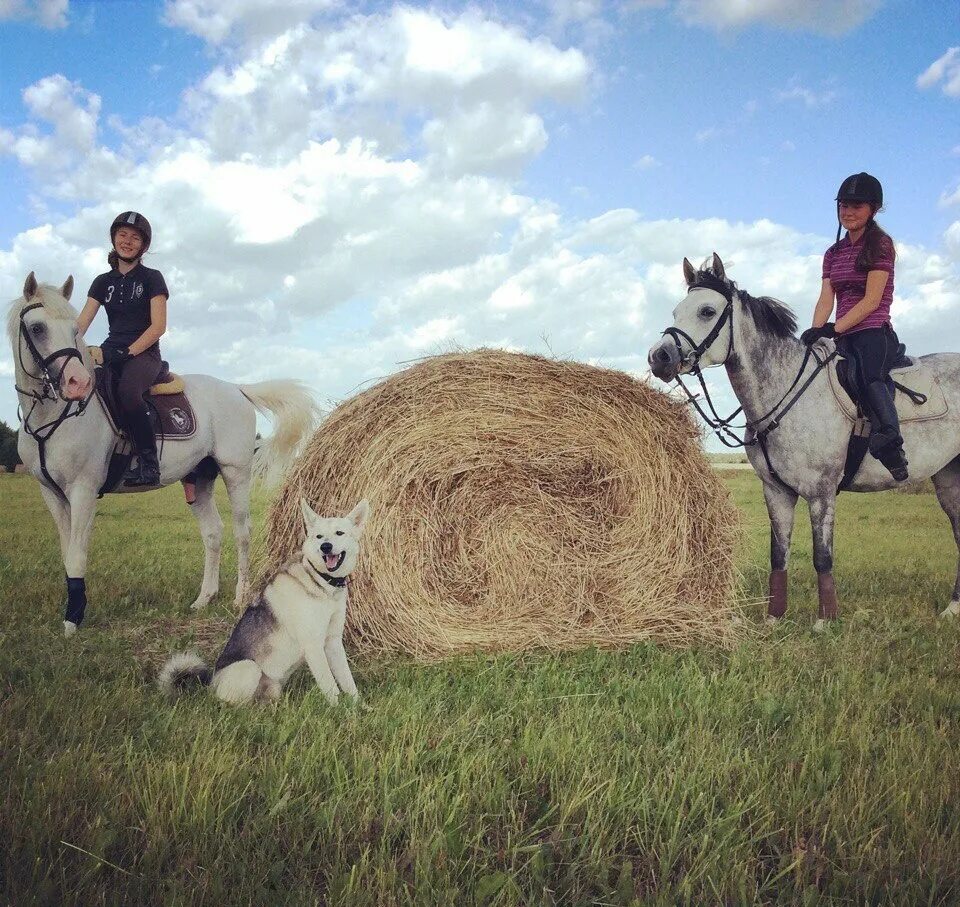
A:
{"x": 718, "y": 324}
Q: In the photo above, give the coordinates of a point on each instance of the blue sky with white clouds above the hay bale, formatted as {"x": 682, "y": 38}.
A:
{"x": 340, "y": 188}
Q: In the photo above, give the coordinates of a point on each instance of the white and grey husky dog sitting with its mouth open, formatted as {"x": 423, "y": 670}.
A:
{"x": 299, "y": 617}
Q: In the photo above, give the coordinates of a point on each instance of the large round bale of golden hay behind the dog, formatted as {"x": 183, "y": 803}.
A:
{"x": 519, "y": 502}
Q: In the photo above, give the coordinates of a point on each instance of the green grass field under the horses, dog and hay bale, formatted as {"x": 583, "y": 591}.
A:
{"x": 793, "y": 769}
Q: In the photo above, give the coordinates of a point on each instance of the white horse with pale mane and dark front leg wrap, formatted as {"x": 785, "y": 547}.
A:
{"x": 66, "y": 439}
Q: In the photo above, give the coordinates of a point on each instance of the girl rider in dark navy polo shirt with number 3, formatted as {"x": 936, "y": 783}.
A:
{"x": 135, "y": 298}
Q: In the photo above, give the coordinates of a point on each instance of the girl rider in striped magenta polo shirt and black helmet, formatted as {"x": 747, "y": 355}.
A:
{"x": 858, "y": 271}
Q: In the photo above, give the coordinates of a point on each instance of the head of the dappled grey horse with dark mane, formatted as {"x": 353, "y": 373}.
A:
{"x": 702, "y": 332}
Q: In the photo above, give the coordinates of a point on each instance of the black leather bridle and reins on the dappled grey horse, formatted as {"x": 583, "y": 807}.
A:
{"x": 720, "y": 426}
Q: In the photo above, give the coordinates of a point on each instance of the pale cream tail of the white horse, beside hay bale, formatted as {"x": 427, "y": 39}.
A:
{"x": 294, "y": 412}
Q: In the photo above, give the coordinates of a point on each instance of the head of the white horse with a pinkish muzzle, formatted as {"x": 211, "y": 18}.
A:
{"x": 43, "y": 333}
